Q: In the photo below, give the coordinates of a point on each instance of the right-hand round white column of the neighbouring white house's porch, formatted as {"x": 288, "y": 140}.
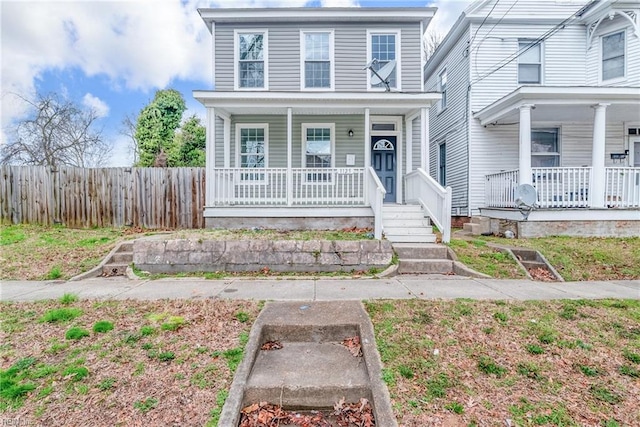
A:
{"x": 597, "y": 184}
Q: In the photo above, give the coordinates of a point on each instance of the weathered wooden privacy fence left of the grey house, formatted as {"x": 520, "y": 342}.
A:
{"x": 103, "y": 197}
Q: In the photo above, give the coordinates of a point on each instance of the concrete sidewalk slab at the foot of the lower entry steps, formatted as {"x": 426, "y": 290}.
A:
{"x": 451, "y": 289}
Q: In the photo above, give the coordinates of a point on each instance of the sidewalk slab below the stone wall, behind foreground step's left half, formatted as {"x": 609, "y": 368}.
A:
{"x": 275, "y": 290}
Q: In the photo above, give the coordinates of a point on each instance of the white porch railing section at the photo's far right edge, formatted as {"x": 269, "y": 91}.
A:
{"x": 622, "y": 187}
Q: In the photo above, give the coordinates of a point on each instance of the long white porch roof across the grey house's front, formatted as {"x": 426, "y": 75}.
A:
{"x": 316, "y": 103}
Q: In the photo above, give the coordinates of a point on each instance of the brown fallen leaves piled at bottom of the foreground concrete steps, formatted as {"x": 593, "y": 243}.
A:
{"x": 263, "y": 414}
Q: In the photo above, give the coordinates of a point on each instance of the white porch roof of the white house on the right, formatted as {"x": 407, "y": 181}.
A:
{"x": 564, "y": 103}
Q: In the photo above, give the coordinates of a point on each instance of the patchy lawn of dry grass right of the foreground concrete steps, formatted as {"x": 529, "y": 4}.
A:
{"x": 564, "y": 363}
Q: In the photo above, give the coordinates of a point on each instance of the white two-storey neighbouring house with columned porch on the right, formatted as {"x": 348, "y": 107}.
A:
{"x": 545, "y": 93}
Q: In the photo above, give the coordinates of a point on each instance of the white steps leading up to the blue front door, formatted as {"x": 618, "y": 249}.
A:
{"x": 406, "y": 224}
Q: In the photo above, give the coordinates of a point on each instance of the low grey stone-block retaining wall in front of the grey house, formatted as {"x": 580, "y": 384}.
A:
{"x": 173, "y": 256}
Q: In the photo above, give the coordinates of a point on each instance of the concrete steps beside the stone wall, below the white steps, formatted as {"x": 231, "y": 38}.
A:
{"x": 423, "y": 258}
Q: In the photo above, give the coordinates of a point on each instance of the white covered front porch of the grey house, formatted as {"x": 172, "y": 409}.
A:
{"x": 374, "y": 139}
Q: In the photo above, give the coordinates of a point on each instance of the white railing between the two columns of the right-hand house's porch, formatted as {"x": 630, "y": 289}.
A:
{"x": 562, "y": 187}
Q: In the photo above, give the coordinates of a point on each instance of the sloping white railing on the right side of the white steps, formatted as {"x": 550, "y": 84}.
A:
{"x": 435, "y": 199}
